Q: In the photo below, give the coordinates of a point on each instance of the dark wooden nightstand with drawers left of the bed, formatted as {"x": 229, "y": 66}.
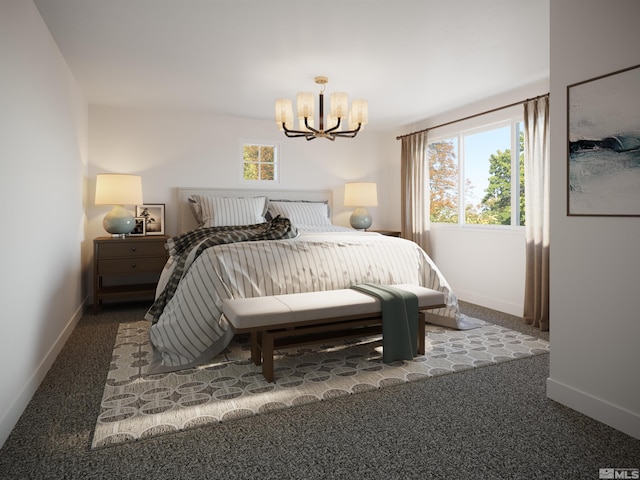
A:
{"x": 138, "y": 261}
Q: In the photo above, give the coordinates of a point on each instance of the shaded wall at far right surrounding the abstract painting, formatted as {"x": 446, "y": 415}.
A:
{"x": 595, "y": 320}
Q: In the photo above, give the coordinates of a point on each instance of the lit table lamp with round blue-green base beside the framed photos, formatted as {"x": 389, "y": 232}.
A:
{"x": 118, "y": 190}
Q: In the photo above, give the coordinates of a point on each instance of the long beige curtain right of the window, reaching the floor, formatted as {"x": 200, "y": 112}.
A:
{"x": 537, "y": 186}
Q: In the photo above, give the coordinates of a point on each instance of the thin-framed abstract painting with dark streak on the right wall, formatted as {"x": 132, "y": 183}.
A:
{"x": 603, "y": 145}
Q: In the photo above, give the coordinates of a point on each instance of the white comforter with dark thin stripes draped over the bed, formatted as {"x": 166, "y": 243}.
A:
{"x": 192, "y": 330}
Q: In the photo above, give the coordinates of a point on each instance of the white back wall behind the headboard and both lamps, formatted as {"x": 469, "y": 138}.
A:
{"x": 171, "y": 149}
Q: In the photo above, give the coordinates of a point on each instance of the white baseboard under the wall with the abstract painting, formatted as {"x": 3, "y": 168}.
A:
{"x": 596, "y": 408}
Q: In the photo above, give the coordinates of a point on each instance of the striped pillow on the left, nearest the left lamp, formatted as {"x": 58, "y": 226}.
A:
{"x": 228, "y": 211}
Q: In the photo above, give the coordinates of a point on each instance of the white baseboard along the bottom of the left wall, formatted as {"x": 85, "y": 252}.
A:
{"x": 22, "y": 399}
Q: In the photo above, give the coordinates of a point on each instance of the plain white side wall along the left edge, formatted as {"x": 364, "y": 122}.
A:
{"x": 43, "y": 153}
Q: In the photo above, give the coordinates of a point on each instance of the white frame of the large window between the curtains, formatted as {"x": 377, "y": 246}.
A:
{"x": 512, "y": 117}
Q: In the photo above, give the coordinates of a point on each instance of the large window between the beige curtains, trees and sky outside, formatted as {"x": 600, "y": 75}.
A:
{"x": 477, "y": 175}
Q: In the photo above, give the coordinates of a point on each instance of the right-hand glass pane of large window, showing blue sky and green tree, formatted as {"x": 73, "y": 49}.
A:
{"x": 487, "y": 173}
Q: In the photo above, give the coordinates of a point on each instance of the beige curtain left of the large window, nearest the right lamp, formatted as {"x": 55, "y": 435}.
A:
{"x": 415, "y": 189}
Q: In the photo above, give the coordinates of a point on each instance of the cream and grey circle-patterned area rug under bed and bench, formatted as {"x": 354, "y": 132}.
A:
{"x": 136, "y": 406}
